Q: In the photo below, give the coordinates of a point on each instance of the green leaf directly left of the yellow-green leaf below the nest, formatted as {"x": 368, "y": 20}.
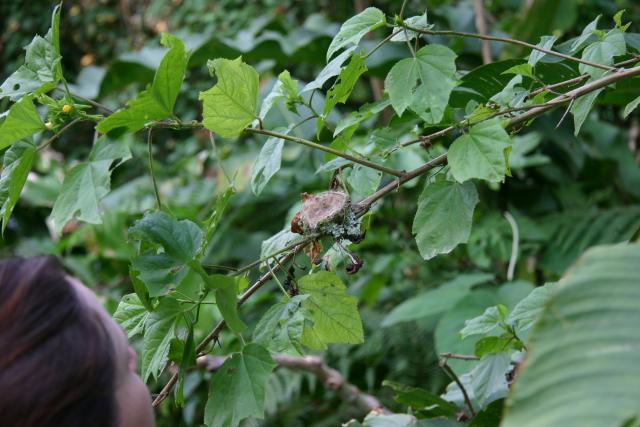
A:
{"x": 280, "y": 329}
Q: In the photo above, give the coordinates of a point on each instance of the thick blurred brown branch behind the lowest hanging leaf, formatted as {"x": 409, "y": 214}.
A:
{"x": 331, "y": 378}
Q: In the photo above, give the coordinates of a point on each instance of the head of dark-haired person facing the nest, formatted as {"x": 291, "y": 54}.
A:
{"x": 63, "y": 360}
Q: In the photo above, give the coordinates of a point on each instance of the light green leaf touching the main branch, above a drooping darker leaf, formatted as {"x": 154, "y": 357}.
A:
{"x": 480, "y": 153}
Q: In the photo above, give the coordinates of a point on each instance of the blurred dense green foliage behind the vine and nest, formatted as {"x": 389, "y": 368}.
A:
{"x": 565, "y": 194}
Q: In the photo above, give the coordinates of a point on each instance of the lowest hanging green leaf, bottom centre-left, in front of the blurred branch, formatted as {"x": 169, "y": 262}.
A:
{"x": 237, "y": 390}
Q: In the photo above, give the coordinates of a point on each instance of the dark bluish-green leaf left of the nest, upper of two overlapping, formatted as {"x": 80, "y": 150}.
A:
{"x": 180, "y": 239}
